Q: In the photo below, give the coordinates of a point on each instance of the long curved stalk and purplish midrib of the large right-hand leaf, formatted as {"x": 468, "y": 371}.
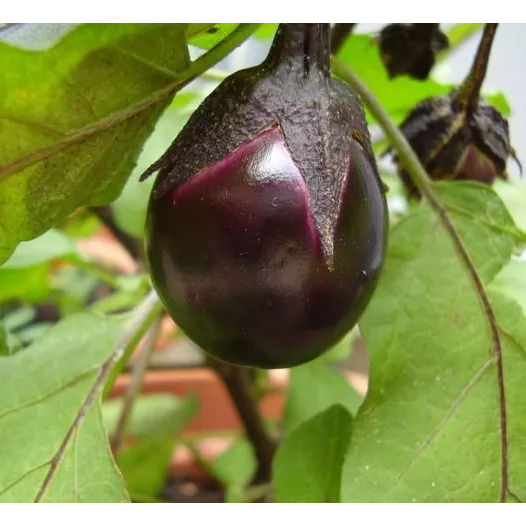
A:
{"x": 421, "y": 180}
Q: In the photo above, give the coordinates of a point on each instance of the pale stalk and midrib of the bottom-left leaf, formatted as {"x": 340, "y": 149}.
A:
{"x": 141, "y": 319}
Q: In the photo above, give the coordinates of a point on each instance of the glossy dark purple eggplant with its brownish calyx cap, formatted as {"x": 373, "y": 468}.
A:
{"x": 264, "y": 254}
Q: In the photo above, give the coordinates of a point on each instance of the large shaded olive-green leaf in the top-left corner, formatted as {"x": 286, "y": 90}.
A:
{"x": 94, "y": 71}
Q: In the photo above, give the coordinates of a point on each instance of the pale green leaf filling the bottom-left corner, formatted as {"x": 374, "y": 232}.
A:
{"x": 44, "y": 389}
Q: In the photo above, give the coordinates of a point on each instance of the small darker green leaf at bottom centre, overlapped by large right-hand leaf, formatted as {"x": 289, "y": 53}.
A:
{"x": 307, "y": 466}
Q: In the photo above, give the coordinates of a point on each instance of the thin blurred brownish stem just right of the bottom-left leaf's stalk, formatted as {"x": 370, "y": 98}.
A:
{"x": 138, "y": 371}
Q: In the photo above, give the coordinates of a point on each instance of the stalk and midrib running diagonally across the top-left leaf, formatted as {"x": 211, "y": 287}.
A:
{"x": 204, "y": 62}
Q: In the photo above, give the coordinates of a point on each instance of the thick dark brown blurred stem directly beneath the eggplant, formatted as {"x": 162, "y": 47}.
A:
{"x": 237, "y": 382}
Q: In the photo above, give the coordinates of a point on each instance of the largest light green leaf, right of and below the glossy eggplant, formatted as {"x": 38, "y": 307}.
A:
{"x": 429, "y": 430}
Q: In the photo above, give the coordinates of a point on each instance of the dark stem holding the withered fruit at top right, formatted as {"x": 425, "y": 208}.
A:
{"x": 469, "y": 93}
